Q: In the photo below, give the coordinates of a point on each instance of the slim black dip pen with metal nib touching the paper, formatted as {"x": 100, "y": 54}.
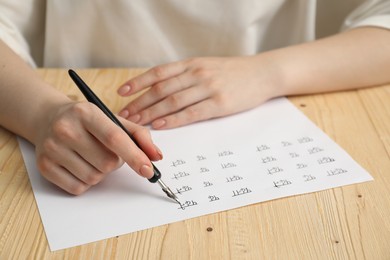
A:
{"x": 91, "y": 97}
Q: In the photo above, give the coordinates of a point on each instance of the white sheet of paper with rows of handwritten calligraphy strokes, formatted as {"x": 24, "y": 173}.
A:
{"x": 270, "y": 152}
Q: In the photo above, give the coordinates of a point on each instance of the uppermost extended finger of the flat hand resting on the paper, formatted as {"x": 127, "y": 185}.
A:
{"x": 151, "y": 77}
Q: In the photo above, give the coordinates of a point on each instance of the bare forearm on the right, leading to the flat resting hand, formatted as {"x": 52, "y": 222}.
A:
{"x": 354, "y": 59}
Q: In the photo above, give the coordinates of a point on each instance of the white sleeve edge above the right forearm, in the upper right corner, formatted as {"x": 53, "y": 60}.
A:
{"x": 370, "y": 13}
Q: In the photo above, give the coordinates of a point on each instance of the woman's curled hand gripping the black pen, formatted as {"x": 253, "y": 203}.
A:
{"x": 80, "y": 145}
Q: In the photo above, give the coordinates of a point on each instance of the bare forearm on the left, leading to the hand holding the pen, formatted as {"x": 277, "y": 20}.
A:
{"x": 24, "y": 97}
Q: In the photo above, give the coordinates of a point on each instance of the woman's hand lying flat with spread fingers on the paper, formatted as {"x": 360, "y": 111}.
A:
{"x": 197, "y": 89}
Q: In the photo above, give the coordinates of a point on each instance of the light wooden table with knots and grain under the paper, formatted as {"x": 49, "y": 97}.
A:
{"x": 351, "y": 222}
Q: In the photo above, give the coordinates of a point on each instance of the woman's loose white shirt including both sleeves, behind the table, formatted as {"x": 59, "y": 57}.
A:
{"x": 143, "y": 33}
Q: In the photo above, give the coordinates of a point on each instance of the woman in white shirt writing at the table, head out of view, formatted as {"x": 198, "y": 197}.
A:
{"x": 218, "y": 58}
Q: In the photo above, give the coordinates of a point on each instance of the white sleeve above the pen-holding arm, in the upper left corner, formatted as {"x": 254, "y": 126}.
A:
{"x": 19, "y": 26}
